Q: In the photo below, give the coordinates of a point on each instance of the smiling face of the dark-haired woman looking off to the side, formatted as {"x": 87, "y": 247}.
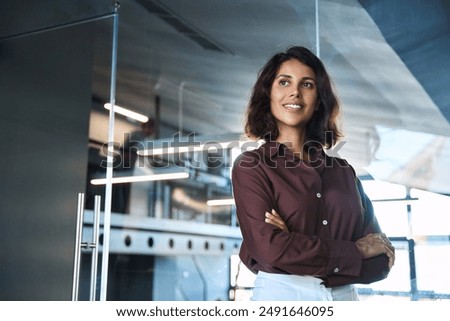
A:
{"x": 293, "y": 96}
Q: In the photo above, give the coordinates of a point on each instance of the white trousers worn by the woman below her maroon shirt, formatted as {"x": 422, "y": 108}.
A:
{"x": 284, "y": 287}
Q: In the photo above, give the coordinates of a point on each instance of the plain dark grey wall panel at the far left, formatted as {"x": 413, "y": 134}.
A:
{"x": 45, "y": 94}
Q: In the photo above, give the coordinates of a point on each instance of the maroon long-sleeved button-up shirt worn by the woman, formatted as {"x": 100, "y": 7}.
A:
{"x": 323, "y": 206}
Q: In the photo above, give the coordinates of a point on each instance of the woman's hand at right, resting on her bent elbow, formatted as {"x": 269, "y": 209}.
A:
{"x": 375, "y": 244}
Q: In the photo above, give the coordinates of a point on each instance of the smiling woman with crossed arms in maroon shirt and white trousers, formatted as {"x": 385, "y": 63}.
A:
{"x": 308, "y": 229}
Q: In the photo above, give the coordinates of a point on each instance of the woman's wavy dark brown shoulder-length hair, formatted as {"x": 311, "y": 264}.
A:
{"x": 321, "y": 129}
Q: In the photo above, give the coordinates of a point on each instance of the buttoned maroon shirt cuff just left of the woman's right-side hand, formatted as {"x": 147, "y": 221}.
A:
{"x": 345, "y": 258}
